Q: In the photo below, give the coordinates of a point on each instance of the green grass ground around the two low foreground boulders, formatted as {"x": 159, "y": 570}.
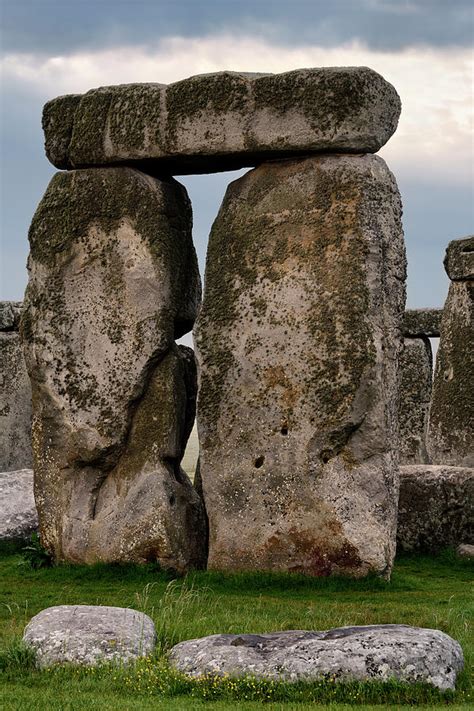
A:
{"x": 424, "y": 591}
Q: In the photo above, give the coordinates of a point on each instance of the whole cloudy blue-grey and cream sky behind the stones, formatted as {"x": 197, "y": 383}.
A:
{"x": 424, "y": 47}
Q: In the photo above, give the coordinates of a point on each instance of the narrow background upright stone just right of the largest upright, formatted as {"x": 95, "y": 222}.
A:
{"x": 416, "y": 378}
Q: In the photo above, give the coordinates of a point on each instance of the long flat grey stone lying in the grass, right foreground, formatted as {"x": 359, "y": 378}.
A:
{"x": 381, "y": 652}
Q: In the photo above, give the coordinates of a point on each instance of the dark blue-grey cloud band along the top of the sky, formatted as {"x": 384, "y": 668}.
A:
{"x": 64, "y": 26}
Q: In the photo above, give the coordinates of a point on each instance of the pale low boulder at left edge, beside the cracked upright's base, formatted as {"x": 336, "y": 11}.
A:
{"x": 18, "y": 517}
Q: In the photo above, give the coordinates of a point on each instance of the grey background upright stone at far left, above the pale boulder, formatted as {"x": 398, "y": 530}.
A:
{"x": 15, "y": 404}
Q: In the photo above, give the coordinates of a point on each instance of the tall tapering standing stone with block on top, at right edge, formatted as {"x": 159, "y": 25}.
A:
{"x": 451, "y": 427}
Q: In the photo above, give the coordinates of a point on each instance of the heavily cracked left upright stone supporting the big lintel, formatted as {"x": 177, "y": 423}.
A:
{"x": 113, "y": 280}
